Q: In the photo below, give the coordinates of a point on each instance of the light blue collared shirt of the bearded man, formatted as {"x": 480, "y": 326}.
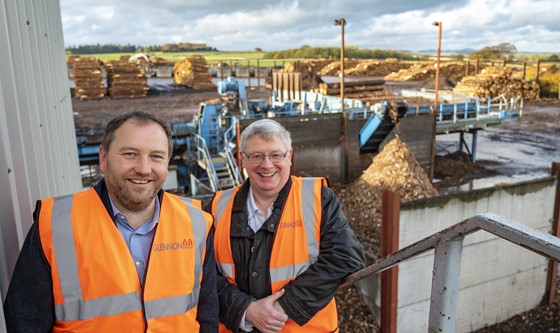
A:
{"x": 138, "y": 241}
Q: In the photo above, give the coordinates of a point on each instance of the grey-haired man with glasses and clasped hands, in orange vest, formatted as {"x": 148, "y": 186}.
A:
{"x": 282, "y": 243}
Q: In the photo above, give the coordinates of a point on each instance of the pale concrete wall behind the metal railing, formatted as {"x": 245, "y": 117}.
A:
{"x": 498, "y": 279}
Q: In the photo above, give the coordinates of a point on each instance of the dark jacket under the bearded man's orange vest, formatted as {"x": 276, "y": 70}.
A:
{"x": 29, "y": 303}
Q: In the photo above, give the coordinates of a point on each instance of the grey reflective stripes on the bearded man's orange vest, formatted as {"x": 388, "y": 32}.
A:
{"x": 75, "y": 308}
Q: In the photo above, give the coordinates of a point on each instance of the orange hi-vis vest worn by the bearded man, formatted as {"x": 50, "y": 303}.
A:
{"x": 95, "y": 283}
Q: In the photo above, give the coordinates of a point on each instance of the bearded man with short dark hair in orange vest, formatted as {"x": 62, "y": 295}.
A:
{"x": 123, "y": 256}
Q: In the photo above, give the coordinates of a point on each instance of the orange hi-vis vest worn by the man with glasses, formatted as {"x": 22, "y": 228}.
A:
{"x": 295, "y": 248}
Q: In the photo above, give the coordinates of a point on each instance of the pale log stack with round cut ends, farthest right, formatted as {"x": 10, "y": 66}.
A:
{"x": 495, "y": 81}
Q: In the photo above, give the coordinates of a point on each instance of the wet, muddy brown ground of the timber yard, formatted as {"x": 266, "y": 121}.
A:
{"x": 515, "y": 151}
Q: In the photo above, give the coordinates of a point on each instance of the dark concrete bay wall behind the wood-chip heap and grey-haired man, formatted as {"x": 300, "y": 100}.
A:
{"x": 319, "y": 148}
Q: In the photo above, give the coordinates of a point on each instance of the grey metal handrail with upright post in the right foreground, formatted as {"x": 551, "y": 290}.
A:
{"x": 448, "y": 246}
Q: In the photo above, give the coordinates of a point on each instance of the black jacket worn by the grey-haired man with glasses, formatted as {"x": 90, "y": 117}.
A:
{"x": 340, "y": 255}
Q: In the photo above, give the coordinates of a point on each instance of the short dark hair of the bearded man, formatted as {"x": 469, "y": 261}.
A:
{"x": 143, "y": 118}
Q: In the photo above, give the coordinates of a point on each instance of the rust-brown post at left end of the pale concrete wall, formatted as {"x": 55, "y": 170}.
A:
{"x": 390, "y": 219}
